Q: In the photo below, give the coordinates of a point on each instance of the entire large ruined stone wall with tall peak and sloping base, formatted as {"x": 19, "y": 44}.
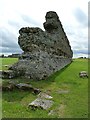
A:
{"x": 45, "y": 52}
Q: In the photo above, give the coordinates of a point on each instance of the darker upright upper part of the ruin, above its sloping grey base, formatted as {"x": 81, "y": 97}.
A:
{"x": 53, "y": 39}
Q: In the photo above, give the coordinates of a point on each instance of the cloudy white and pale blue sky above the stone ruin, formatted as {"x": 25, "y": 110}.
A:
{"x": 15, "y": 14}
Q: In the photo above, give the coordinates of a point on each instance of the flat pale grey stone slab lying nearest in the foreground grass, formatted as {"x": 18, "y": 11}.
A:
{"x": 41, "y": 103}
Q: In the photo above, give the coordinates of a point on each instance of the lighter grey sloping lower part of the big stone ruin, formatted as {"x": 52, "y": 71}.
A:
{"x": 39, "y": 65}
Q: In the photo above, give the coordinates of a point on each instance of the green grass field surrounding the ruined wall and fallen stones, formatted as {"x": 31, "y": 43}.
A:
{"x": 73, "y": 104}
